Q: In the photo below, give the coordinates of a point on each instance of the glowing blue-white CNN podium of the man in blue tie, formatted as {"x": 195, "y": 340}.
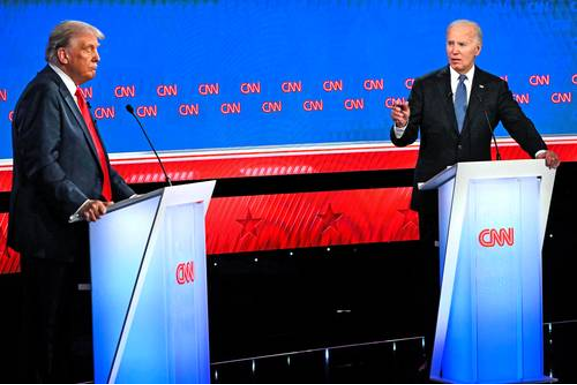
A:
{"x": 492, "y": 219}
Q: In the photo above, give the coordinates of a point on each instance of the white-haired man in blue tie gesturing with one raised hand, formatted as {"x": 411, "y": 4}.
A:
{"x": 455, "y": 110}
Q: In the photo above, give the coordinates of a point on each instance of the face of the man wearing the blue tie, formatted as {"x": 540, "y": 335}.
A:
{"x": 462, "y": 47}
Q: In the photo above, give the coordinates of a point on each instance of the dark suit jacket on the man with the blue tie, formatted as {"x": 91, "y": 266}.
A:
{"x": 433, "y": 114}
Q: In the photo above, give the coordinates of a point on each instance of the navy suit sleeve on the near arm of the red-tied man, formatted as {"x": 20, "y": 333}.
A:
{"x": 37, "y": 142}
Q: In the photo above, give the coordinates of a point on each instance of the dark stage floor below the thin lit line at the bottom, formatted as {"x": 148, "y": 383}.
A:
{"x": 395, "y": 361}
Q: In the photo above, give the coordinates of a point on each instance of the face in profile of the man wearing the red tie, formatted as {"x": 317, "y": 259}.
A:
{"x": 80, "y": 59}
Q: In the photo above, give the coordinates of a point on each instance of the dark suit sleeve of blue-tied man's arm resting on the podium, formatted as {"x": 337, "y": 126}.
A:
{"x": 517, "y": 124}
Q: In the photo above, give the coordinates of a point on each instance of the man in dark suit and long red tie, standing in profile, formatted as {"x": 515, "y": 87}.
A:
{"x": 62, "y": 179}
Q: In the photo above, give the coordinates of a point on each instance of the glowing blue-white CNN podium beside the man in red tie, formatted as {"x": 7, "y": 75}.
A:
{"x": 149, "y": 288}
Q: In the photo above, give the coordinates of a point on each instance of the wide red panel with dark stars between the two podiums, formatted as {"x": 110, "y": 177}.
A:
{"x": 291, "y": 221}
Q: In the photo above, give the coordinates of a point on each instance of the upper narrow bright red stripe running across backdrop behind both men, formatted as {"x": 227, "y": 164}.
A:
{"x": 196, "y": 166}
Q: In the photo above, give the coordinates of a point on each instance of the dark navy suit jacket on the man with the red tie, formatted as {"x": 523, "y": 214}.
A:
{"x": 56, "y": 170}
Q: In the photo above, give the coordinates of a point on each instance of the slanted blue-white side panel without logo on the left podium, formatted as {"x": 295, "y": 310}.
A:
{"x": 119, "y": 271}
